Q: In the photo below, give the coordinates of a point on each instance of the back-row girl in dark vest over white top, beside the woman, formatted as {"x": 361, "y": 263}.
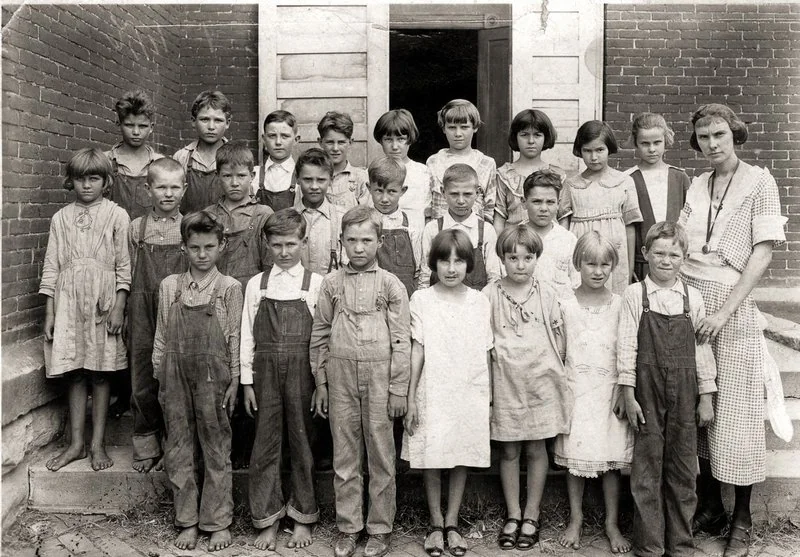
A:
{"x": 660, "y": 188}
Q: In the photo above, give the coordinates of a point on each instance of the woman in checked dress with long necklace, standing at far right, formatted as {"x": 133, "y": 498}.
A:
{"x": 733, "y": 219}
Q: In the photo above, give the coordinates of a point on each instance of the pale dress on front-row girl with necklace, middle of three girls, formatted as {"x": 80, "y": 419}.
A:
{"x": 531, "y": 398}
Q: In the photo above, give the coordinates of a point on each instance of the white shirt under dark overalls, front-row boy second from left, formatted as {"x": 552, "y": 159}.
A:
{"x": 283, "y": 284}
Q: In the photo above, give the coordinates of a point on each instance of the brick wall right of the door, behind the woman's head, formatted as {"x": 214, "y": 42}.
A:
{"x": 670, "y": 59}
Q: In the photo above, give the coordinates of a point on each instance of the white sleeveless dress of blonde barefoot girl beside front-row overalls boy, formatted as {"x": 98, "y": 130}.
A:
{"x": 598, "y": 441}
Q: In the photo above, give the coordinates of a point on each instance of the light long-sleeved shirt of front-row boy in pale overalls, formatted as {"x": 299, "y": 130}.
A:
{"x": 350, "y": 291}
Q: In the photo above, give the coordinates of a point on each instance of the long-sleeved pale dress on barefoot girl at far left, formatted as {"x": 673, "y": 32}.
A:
{"x": 86, "y": 262}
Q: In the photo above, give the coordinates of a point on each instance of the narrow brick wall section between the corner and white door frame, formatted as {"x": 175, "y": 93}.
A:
{"x": 219, "y": 50}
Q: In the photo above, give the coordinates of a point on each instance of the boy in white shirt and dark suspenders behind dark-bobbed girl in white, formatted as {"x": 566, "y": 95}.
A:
{"x": 460, "y": 192}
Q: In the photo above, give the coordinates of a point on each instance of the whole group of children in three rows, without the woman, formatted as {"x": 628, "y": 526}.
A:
{"x": 469, "y": 303}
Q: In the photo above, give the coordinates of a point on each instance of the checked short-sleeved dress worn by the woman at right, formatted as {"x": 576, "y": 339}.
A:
{"x": 750, "y": 214}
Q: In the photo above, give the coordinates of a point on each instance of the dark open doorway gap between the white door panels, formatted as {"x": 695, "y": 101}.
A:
{"x": 428, "y": 68}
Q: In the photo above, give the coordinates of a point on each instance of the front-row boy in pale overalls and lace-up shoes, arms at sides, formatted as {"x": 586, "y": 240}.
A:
{"x": 361, "y": 365}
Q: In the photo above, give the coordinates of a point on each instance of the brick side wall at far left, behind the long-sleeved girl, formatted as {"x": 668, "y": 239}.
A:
{"x": 63, "y": 69}
